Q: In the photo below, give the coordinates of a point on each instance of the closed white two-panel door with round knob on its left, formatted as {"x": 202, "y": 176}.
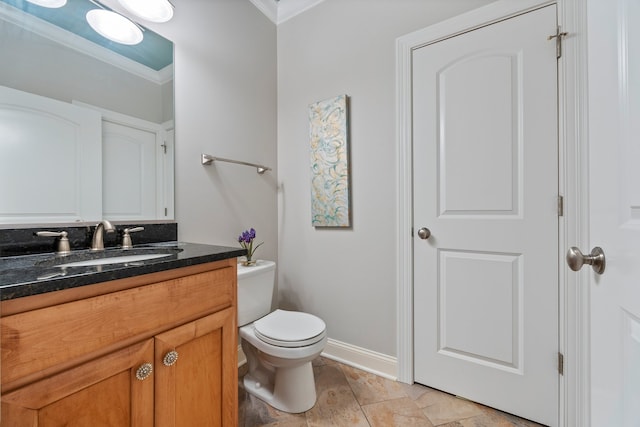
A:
{"x": 485, "y": 165}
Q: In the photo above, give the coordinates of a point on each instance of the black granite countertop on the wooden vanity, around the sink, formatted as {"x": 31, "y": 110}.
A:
{"x": 26, "y": 275}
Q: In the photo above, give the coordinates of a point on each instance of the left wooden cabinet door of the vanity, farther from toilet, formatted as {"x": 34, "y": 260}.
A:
{"x": 103, "y": 392}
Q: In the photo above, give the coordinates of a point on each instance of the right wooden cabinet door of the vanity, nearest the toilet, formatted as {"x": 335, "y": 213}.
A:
{"x": 200, "y": 388}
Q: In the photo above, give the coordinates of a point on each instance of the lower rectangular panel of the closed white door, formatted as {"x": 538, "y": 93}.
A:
{"x": 465, "y": 329}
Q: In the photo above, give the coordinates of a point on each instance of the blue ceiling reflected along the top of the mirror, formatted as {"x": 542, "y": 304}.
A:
{"x": 154, "y": 52}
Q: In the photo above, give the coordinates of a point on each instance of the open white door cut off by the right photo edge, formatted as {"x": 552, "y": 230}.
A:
{"x": 614, "y": 199}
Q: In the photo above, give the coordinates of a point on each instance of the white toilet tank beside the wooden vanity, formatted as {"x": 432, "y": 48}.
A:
{"x": 255, "y": 290}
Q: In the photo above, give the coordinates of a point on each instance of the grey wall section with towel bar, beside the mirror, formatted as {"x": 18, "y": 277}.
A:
{"x": 225, "y": 102}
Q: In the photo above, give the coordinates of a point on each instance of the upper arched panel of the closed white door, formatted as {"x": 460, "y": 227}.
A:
{"x": 463, "y": 90}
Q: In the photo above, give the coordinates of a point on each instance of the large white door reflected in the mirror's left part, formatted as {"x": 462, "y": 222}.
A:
{"x": 50, "y": 168}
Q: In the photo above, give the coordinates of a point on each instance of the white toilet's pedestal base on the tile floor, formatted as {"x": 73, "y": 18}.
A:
{"x": 290, "y": 389}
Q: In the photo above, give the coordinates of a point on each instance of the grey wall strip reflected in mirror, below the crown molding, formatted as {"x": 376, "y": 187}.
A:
{"x": 43, "y": 67}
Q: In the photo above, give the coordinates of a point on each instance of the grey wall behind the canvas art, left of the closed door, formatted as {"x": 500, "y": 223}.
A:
{"x": 347, "y": 277}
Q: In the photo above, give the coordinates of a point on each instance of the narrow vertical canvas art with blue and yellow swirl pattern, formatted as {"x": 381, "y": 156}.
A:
{"x": 329, "y": 163}
